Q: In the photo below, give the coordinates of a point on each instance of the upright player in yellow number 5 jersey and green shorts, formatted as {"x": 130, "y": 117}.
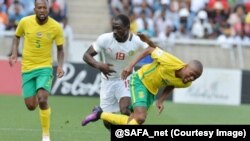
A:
{"x": 39, "y": 32}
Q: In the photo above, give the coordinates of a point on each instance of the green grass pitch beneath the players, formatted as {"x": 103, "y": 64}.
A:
{"x": 19, "y": 124}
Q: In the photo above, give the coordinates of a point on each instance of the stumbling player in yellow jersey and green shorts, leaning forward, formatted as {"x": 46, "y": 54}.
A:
{"x": 166, "y": 71}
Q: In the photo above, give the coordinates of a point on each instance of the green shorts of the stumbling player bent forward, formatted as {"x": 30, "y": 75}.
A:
{"x": 140, "y": 96}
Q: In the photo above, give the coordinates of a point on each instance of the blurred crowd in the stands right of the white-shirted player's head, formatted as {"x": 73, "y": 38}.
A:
{"x": 222, "y": 20}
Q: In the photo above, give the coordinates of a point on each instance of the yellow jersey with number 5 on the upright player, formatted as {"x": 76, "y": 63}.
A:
{"x": 38, "y": 42}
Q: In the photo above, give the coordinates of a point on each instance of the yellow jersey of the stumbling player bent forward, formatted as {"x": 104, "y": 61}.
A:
{"x": 161, "y": 72}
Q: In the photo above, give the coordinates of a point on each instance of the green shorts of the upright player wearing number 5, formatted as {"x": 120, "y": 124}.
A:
{"x": 36, "y": 79}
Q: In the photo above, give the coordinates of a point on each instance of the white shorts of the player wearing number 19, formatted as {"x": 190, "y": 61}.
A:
{"x": 111, "y": 93}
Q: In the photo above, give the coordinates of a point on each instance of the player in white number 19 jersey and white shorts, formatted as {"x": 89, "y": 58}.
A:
{"x": 118, "y": 49}
